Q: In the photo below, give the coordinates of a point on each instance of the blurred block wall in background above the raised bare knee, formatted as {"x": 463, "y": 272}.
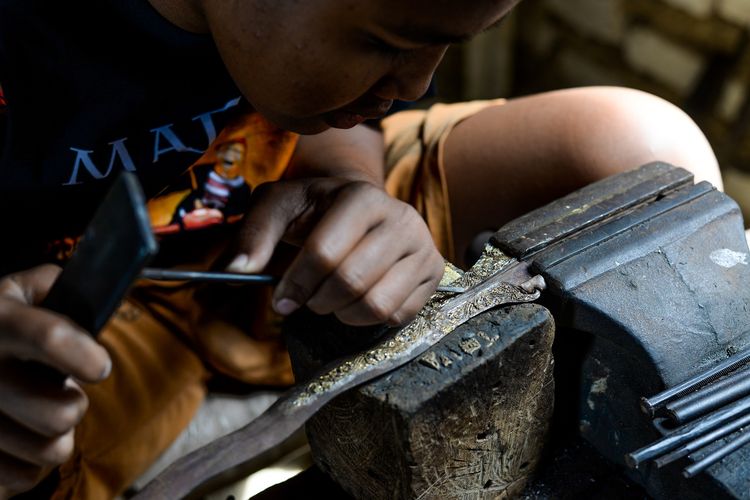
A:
{"x": 694, "y": 53}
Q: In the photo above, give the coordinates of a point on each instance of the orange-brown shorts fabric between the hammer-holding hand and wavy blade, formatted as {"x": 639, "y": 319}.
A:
{"x": 156, "y": 385}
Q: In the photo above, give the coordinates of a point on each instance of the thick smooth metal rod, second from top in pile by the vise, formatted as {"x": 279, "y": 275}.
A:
{"x": 710, "y": 397}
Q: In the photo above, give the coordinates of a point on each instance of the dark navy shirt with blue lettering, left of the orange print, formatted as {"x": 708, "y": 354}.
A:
{"x": 94, "y": 87}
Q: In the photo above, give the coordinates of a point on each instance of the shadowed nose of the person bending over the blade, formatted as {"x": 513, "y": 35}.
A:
{"x": 411, "y": 75}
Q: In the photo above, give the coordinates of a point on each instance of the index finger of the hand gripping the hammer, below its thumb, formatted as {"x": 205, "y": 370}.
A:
{"x": 30, "y": 333}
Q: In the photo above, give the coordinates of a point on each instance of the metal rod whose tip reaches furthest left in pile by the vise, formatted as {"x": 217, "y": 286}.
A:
{"x": 688, "y": 432}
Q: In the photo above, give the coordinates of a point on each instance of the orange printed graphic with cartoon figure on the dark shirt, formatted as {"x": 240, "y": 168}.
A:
{"x": 216, "y": 189}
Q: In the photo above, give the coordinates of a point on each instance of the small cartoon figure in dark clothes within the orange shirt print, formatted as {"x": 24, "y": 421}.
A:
{"x": 223, "y": 192}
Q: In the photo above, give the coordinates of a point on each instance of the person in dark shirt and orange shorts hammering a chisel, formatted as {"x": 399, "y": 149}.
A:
{"x": 98, "y": 86}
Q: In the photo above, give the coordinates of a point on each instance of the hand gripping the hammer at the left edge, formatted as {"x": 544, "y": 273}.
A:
{"x": 38, "y": 412}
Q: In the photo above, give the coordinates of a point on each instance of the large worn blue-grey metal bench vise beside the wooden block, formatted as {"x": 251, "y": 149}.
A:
{"x": 649, "y": 283}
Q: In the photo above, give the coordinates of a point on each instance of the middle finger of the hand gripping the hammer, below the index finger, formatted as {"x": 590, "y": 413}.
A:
{"x": 49, "y": 409}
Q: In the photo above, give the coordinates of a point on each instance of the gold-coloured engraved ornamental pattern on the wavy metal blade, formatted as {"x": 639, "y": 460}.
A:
{"x": 432, "y": 323}
